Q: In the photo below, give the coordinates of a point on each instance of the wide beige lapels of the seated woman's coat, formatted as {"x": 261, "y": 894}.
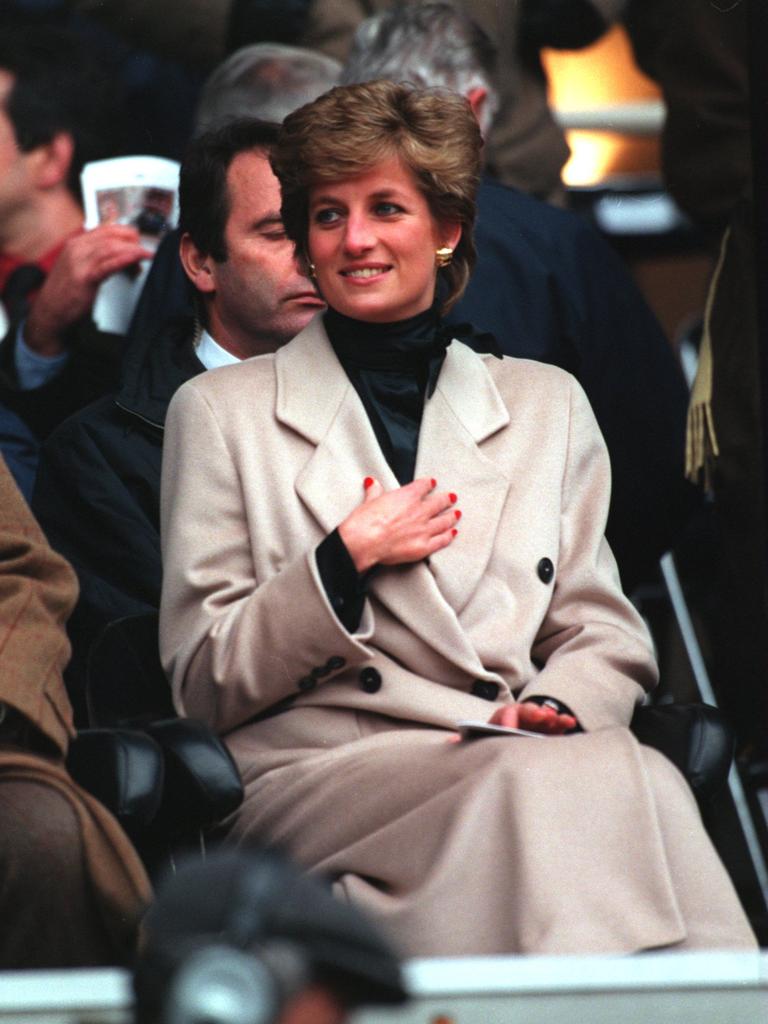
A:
{"x": 316, "y": 399}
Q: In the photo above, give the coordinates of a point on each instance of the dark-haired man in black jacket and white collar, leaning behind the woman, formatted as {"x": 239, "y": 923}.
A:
{"x": 99, "y": 482}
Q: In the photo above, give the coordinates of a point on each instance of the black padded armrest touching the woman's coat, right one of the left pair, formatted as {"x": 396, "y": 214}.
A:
{"x": 202, "y": 782}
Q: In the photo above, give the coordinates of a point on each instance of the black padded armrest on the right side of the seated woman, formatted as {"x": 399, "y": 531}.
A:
{"x": 696, "y": 738}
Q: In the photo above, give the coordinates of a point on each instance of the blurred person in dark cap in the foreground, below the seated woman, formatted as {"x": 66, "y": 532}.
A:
{"x": 244, "y": 938}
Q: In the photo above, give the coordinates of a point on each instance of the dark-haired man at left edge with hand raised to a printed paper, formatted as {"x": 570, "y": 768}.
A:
{"x": 56, "y": 105}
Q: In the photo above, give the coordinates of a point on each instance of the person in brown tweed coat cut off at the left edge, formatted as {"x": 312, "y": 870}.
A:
{"x": 72, "y": 888}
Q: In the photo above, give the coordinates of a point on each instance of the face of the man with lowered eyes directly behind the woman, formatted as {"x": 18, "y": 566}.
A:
{"x": 260, "y": 301}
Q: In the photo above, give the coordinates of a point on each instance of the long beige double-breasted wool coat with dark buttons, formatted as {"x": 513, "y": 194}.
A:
{"x": 585, "y": 843}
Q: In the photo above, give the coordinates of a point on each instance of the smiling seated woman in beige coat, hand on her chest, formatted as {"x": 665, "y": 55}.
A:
{"x": 374, "y": 534}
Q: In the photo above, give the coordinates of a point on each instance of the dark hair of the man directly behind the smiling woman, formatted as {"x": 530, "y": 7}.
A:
{"x": 204, "y": 200}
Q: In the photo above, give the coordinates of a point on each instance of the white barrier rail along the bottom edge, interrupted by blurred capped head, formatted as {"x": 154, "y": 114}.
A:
{"x": 685, "y": 989}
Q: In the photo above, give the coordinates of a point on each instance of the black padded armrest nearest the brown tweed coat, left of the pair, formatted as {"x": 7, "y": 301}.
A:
{"x": 122, "y": 769}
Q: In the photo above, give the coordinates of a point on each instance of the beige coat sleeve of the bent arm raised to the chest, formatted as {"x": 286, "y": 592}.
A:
{"x": 232, "y": 644}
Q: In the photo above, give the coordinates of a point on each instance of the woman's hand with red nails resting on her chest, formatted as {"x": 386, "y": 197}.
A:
{"x": 404, "y": 526}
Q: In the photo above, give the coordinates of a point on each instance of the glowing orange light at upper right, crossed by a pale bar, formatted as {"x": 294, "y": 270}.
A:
{"x": 602, "y": 75}
